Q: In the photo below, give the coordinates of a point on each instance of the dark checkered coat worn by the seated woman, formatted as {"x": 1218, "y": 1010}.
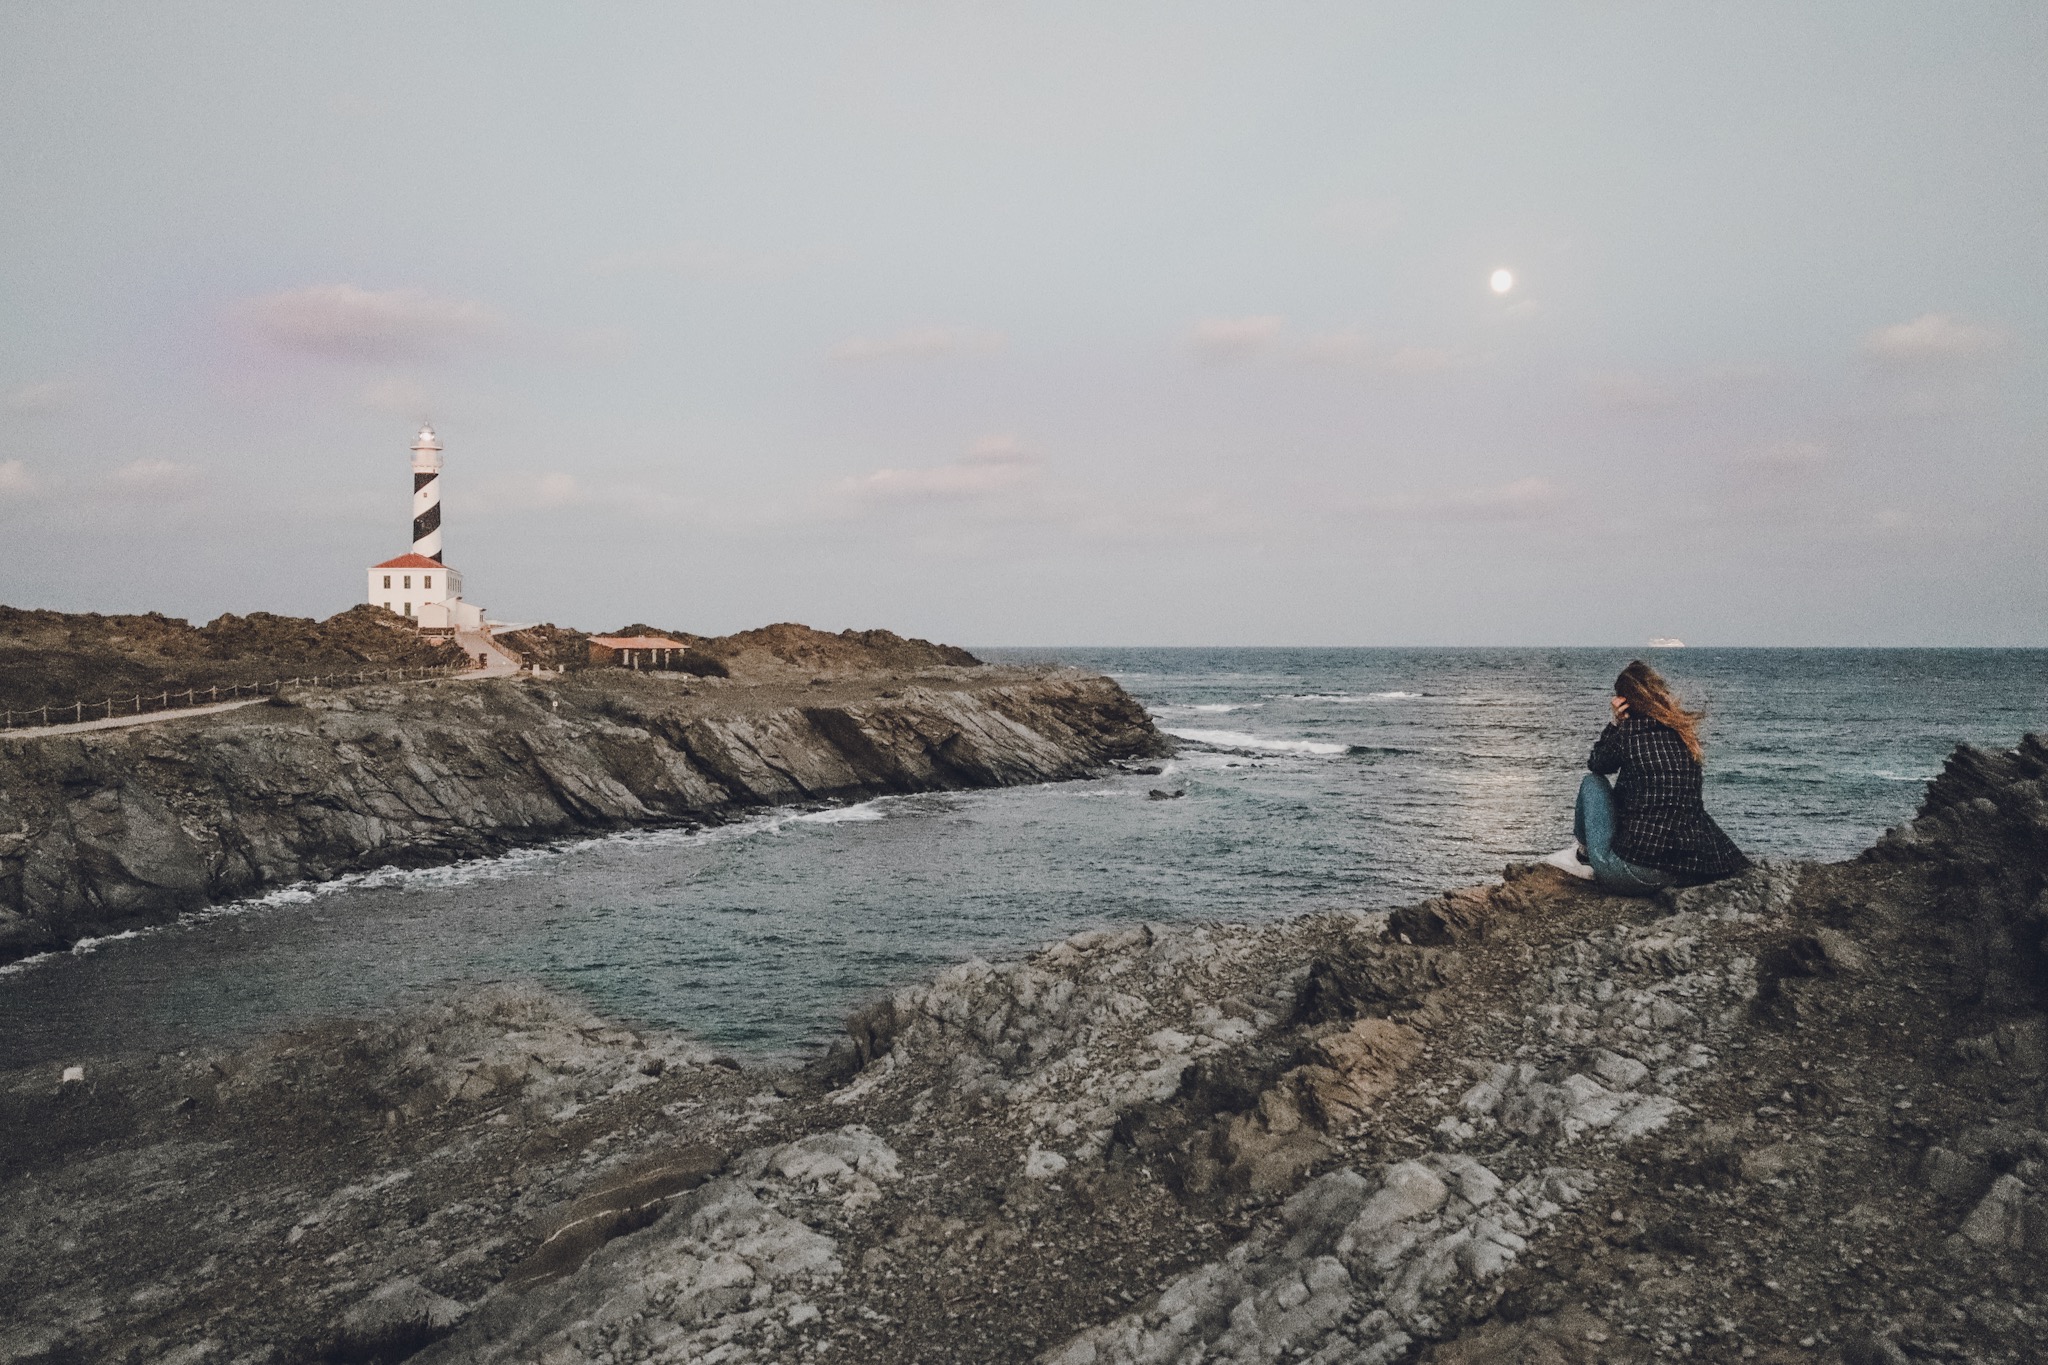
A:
{"x": 1662, "y": 824}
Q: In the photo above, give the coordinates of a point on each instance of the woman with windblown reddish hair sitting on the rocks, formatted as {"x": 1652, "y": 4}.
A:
{"x": 1650, "y": 830}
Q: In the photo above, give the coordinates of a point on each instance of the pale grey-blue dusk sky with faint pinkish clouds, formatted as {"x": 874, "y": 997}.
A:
{"x": 1039, "y": 324}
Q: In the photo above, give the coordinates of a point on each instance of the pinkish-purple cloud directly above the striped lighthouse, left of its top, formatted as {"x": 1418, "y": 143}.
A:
{"x": 345, "y": 322}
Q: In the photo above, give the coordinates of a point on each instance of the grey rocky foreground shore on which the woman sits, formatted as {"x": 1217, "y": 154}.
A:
{"x": 1797, "y": 1116}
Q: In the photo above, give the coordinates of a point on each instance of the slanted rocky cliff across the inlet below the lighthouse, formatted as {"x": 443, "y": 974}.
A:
{"x": 120, "y": 828}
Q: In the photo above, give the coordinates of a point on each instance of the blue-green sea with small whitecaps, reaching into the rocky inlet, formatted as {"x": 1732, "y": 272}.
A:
{"x": 1306, "y": 781}
